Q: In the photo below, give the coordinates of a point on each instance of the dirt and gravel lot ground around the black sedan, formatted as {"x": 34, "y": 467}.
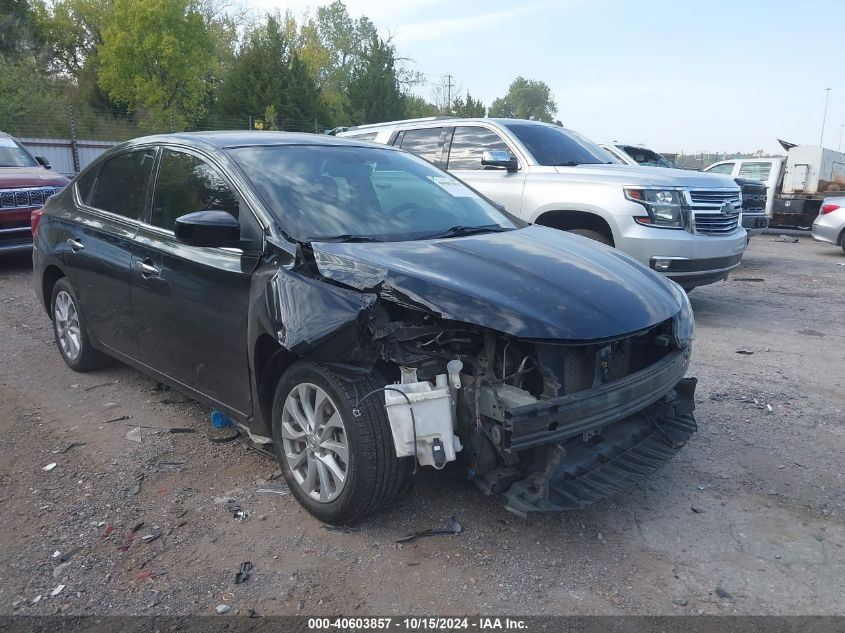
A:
{"x": 748, "y": 519}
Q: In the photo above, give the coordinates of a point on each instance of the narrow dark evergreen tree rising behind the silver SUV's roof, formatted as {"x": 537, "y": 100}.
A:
{"x": 374, "y": 91}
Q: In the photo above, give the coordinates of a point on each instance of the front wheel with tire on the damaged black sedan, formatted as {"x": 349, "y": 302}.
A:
{"x": 339, "y": 467}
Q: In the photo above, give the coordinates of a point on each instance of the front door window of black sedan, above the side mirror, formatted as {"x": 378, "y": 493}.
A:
{"x": 186, "y": 183}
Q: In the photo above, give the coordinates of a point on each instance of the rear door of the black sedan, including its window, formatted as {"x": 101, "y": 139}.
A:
{"x": 99, "y": 244}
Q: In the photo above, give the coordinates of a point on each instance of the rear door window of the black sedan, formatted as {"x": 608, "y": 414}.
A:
{"x": 121, "y": 185}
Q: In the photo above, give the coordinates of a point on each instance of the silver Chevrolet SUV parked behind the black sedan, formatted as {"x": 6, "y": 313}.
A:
{"x": 683, "y": 224}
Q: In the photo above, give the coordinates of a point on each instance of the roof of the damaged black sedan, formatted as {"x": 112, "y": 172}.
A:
{"x": 251, "y": 138}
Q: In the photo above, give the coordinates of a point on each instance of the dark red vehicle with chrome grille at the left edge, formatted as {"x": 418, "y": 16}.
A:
{"x": 25, "y": 184}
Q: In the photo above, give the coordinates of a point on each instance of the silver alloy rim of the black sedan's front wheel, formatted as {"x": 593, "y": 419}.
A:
{"x": 315, "y": 443}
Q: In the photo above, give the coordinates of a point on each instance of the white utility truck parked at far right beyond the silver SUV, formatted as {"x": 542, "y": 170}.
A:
{"x": 796, "y": 184}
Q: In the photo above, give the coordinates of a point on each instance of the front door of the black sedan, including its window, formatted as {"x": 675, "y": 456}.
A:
{"x": 191, "y": 303}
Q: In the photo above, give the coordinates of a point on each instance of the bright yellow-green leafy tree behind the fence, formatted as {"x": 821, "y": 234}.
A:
{"x": 157, "y": 57}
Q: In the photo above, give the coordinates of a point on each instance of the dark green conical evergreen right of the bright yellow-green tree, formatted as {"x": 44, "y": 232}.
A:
{"x": 266, "y": 73}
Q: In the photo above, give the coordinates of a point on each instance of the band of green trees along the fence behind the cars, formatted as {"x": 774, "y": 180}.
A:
{"x": 130, "y": 67}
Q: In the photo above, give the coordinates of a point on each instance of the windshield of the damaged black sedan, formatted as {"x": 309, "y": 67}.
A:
{"x": 337, "y": 193}
